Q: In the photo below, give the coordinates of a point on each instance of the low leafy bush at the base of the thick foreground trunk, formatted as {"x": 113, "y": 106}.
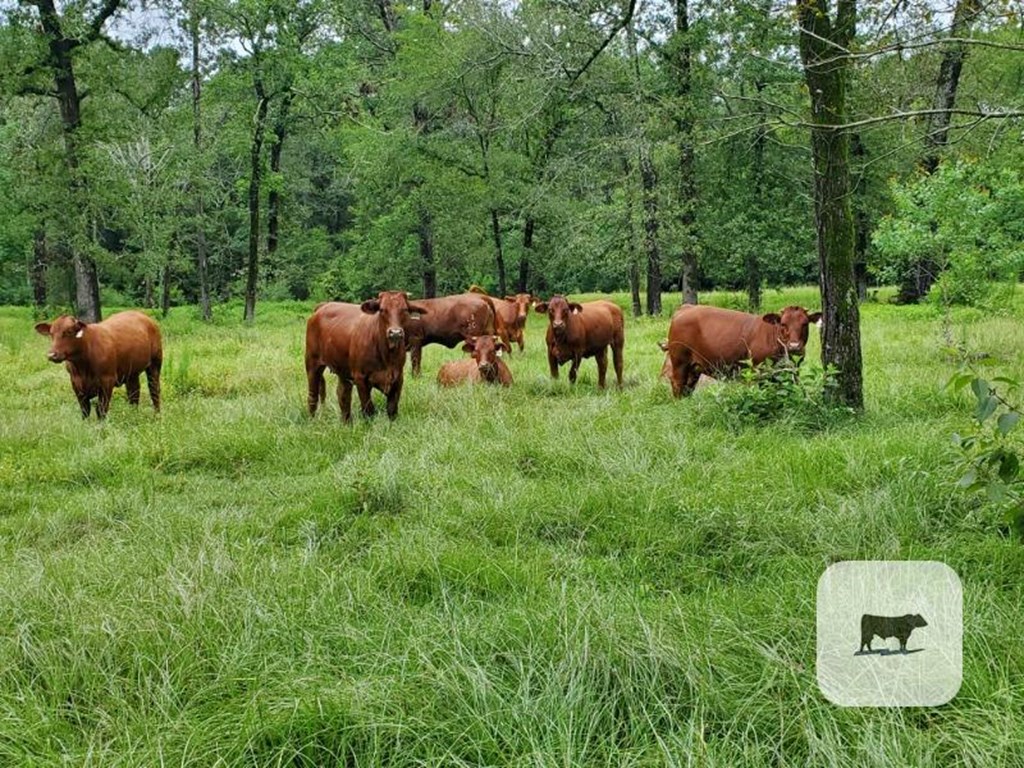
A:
{"x": 780, "y": 392}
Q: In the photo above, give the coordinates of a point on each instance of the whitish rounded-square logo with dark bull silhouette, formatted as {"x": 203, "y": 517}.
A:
{"x": 890, "y": 633}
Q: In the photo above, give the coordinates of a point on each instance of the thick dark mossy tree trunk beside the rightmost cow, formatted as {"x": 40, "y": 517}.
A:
{"x": 827, "y": 76}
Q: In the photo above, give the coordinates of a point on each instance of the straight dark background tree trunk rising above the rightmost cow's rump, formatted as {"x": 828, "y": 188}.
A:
{"x": 687, "y": 181}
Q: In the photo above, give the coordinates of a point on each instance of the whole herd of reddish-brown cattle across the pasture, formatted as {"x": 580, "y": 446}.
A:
{"x": 366, "y": 345}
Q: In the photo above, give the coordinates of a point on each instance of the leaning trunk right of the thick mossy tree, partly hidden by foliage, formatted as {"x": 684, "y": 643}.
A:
{"x": 920, "y": 276}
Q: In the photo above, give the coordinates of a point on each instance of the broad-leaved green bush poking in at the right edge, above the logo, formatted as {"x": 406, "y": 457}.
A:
{"x": 992, "y": 453}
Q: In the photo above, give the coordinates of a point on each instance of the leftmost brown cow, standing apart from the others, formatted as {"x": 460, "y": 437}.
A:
{"x": 103, "y": 356}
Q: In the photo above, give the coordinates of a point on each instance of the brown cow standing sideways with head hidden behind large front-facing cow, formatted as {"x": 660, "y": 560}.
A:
{"x": 450, "y": 321}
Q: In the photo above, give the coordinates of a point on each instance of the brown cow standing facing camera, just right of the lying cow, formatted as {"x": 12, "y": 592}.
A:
{"x": 578, "y": 331}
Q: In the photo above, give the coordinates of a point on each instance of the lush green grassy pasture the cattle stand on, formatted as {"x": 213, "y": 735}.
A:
{"x": 544, "y": 576}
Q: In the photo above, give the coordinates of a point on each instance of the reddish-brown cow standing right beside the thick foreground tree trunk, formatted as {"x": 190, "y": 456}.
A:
{"x": 712, "y": 340}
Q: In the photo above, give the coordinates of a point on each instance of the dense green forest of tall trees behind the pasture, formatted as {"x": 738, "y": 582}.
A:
{"x": 195, "y": 152}
